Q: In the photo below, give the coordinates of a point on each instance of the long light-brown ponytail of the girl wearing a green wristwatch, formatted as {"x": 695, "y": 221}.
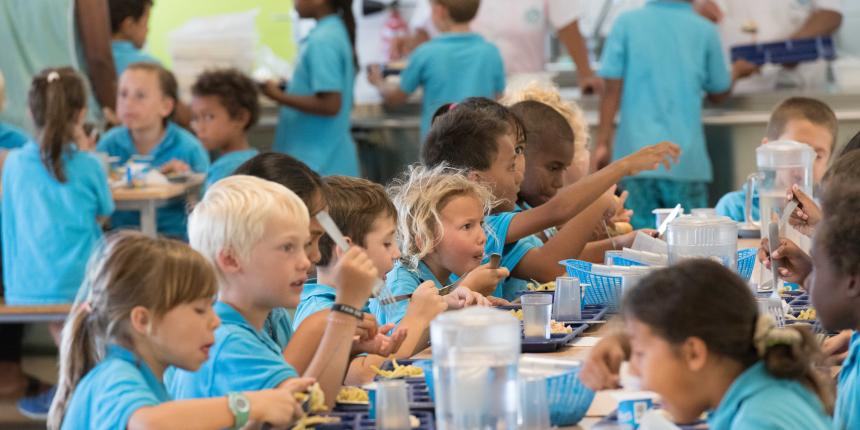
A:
{"x": 78, "y": 356}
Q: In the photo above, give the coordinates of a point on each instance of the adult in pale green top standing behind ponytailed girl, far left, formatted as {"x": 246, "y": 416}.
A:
{"x": 35, "y": 34}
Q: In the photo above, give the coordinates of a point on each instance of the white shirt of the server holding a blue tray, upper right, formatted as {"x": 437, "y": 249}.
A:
{"x": 774, "y": 20}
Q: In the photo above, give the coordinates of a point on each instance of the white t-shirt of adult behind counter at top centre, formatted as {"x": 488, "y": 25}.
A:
{"x": 518, "y": 28}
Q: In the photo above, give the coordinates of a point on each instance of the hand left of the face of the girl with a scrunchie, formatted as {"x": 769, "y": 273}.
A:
{"x": 601, "y": 368}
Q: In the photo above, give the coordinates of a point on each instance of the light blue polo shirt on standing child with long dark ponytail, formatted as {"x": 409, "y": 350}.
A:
{"x": 324, "y": 65}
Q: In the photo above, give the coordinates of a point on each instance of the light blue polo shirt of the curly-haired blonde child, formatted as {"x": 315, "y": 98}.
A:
{"x": 401, "y": 280}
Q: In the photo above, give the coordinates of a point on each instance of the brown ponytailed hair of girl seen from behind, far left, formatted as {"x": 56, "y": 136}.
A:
{"x": 56, "y": 99}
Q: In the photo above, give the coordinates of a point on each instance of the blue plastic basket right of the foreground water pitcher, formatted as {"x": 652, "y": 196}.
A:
{"x": 568, "y": 398}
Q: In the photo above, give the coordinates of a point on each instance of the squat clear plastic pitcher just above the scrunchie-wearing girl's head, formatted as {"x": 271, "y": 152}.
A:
{"x": 714, "y": 237}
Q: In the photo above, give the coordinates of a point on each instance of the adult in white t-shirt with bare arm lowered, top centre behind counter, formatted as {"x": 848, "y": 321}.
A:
{"x": 519, "y": 28}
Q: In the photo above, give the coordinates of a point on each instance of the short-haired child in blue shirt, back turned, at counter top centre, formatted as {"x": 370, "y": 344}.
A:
{"x": 451, "y": 67}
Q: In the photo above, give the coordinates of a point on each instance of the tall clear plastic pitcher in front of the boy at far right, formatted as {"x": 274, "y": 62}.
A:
{"x": 781, "y": 164}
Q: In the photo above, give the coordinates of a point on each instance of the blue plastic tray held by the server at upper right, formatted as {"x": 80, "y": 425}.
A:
{"x": 786, "y": 52}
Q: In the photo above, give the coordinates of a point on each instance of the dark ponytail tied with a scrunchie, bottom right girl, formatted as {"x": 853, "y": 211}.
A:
{"x": 791, "y": 353}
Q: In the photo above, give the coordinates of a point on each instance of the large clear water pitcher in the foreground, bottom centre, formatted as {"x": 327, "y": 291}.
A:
{"x": 475, "y": 355}
